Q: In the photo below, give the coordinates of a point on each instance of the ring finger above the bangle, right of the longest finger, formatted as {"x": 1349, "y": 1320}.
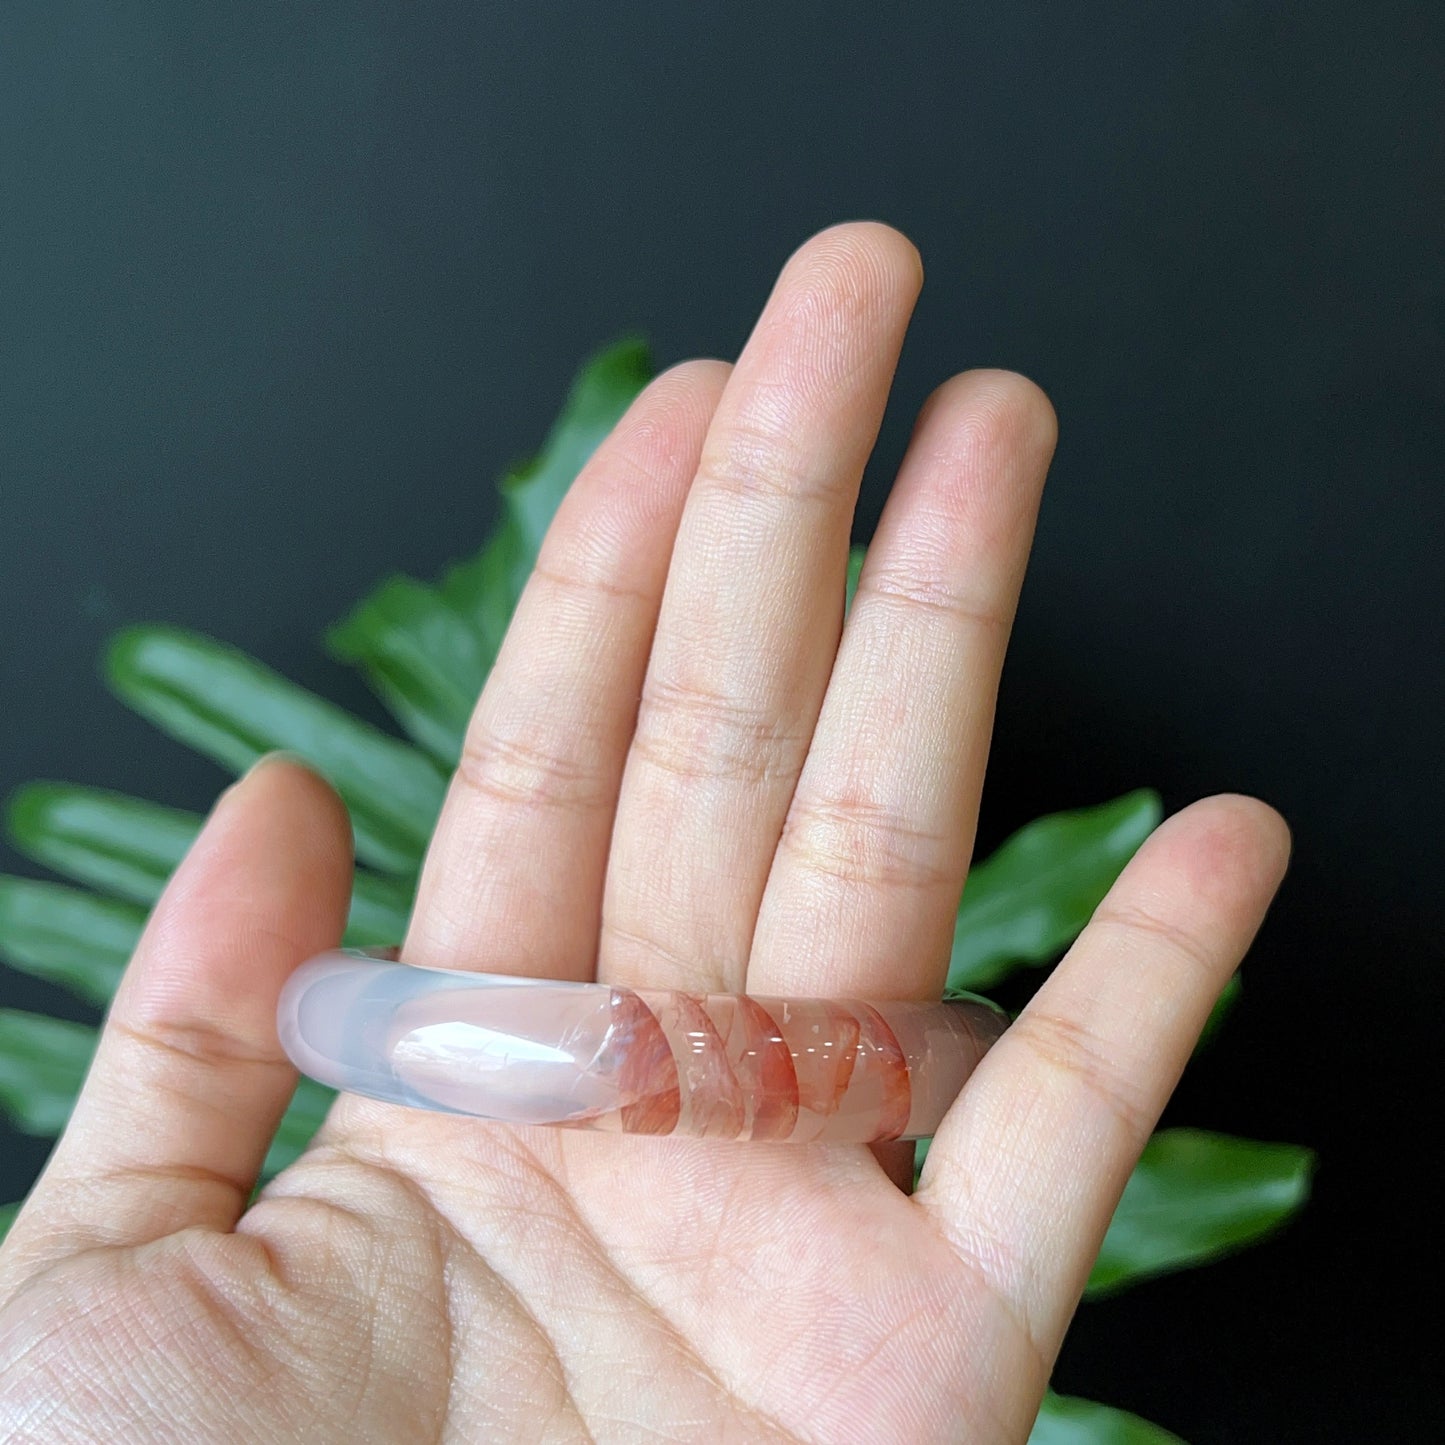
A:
{"x": 865, "y": 888}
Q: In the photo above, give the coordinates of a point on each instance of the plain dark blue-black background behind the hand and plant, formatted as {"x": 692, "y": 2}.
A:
{"x": 282, "y": 287}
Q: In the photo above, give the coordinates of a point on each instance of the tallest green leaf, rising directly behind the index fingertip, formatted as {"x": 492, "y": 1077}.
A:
{"x": 486, "y": 589}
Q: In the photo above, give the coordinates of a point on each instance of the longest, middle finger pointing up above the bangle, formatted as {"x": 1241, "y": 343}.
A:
{"x": 752, "y": 613}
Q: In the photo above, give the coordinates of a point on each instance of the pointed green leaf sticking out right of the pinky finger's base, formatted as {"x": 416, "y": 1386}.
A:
{"x": 1194, "y": 1197}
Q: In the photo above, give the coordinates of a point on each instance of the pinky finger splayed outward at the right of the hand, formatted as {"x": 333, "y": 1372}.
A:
{"x": 1031, "y": 1163}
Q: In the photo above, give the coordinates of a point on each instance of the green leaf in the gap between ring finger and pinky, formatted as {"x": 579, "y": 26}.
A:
{"x": 1034, "y": 897}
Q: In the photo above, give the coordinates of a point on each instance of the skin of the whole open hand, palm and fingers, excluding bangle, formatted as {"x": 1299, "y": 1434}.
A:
{"x": 683, "y": 774}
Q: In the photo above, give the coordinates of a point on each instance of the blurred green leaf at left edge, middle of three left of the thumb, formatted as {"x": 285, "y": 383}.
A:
{"x": 76, "y": 940}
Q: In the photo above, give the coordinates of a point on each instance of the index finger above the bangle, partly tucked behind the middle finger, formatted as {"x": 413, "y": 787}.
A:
{"x": 514, "y": 878}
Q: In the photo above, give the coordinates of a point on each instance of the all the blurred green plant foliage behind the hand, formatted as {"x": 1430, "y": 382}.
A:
{"x": 427, "y": 648}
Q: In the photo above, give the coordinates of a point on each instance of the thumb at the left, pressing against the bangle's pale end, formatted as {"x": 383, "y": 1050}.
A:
{"x": 189, "y": 1082}
